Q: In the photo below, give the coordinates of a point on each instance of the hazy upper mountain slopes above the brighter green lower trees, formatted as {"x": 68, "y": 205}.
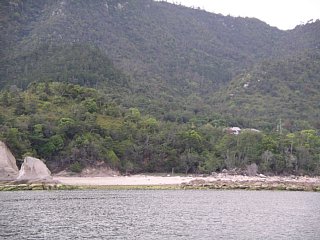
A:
{"x": 176, "y": 62}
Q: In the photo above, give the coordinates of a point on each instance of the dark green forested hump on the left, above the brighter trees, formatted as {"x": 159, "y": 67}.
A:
{"x": 78, "y": 64}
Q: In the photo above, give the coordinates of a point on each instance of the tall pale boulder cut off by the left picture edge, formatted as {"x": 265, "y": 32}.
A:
{"x": 8, "y": 165}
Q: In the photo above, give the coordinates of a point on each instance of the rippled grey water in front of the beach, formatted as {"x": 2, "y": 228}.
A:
{"x": 159, "y": 215}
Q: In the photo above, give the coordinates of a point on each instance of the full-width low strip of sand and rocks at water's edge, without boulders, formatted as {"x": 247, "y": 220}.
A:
{"x": 145, "y": 182}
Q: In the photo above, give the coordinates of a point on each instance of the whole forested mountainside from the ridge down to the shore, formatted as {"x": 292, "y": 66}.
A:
{"x": 145, "y": 86}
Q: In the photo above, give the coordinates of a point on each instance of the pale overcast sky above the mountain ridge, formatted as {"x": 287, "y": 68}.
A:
{"x": 284, "y": 14}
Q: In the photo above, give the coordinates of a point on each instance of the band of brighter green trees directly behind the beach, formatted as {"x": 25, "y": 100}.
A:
{"x": 73, "y": 126}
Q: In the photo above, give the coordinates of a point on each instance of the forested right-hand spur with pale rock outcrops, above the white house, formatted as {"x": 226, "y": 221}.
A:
{"x": 286, "y": 89}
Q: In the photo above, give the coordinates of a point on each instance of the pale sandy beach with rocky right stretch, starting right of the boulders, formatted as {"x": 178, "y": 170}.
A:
{"x": 218, "y": 181}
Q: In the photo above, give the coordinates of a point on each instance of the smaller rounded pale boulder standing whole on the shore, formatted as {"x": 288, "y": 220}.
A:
{"x": 34, "y": 169}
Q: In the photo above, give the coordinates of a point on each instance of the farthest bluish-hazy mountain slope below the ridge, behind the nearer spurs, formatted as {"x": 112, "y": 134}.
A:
{"x": 156, "y": 42}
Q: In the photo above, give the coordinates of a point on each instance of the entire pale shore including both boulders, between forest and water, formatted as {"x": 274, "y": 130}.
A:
{"x": 34, "y": 175}
